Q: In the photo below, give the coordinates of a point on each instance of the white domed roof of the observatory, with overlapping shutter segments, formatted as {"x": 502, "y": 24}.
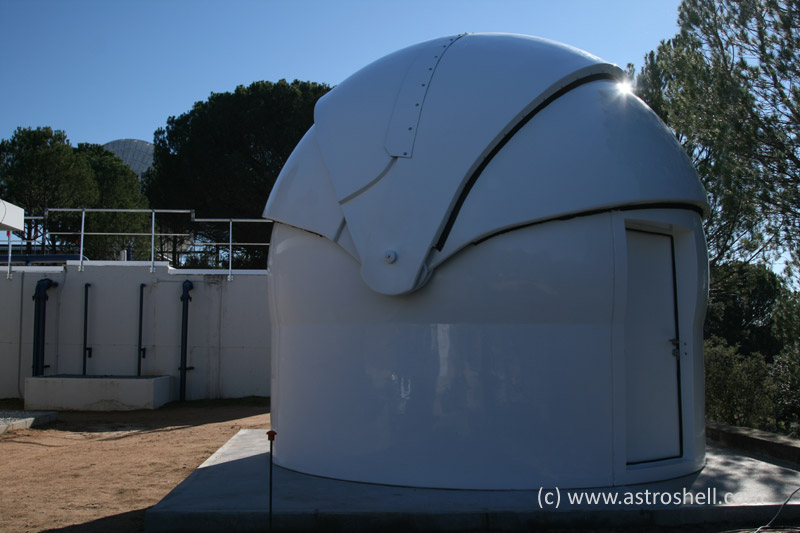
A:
{"x": 453, "y": 140}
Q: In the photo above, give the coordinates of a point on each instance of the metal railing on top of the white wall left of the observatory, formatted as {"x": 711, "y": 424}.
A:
{"x": 82, "y": 234}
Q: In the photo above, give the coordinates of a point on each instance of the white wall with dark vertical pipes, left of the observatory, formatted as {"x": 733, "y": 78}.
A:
{"x": 228, "y": 333}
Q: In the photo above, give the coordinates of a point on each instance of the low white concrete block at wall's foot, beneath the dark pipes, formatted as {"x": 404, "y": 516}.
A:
{"x": 96, "y": 393}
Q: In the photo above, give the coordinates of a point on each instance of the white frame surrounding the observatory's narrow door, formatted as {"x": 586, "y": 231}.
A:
{"x": 690, "y": 286}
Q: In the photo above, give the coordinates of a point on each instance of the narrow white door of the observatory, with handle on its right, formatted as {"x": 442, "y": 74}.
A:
{"x": 653, "y": 424}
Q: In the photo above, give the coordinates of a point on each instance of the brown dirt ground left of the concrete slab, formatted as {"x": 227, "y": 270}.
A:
{"x": 100, "y": 471}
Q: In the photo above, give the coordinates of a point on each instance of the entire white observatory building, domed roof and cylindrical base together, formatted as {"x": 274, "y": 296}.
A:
{"x": 488, "y": 271}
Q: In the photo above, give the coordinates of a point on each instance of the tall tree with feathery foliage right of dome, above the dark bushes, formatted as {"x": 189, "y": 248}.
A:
{"x": 728, "y": 86}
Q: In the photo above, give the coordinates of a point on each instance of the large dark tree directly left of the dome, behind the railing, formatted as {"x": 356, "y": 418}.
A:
{"x": 222, "y": 157}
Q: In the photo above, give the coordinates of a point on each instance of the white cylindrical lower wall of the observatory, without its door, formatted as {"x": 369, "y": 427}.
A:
{"x": 498, "y": 374}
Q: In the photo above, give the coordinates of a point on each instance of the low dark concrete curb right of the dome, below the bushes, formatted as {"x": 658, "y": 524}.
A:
{"x": 755, "y": 441}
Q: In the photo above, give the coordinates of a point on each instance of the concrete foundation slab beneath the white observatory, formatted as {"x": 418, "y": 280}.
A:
{"x": 230, "y": 492}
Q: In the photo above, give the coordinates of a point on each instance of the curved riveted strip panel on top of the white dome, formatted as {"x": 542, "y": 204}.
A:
{"x": 403, "y": 125}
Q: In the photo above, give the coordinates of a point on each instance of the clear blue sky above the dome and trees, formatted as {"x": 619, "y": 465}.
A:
{"x": 108, "y": 69}
